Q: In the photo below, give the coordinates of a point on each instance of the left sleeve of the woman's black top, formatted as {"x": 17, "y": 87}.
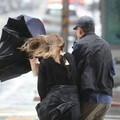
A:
{"x": 41, "y": 86}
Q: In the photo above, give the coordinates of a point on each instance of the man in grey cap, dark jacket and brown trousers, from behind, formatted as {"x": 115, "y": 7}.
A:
{"x": 95, "y": 70}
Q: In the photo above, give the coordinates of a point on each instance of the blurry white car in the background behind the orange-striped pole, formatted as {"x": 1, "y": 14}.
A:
{"x": 52, "y": 19}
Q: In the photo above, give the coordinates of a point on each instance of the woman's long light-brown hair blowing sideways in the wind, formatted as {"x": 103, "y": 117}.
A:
{"x": 44, "y": 46}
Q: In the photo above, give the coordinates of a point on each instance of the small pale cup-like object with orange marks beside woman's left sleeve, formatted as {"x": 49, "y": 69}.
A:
{"x": 34, "y": 66}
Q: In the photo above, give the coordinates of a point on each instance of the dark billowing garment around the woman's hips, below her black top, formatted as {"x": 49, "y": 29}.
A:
{"x": 61, "y": 103}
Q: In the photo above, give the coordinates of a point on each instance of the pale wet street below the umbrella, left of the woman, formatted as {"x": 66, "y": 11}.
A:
{"x": 17, "y": 98}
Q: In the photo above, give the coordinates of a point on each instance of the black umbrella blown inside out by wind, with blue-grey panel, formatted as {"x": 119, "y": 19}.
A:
{"x": 13, "y": 62}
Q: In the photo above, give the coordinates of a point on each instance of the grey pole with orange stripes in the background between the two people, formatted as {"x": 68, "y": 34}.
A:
{"x": 65, "y": 21}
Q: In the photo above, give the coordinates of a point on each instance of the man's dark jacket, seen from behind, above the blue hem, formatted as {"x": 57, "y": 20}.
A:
{"x": 94, "y": 63}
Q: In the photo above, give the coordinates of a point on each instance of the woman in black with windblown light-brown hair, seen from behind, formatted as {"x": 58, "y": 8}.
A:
{"x": 57, "y": 78}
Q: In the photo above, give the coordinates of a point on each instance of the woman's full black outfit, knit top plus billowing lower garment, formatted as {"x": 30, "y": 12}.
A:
{"x": 57, "y": 87}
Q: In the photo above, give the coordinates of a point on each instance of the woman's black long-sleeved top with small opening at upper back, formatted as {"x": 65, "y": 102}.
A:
{"x": 52, "y": 73}
